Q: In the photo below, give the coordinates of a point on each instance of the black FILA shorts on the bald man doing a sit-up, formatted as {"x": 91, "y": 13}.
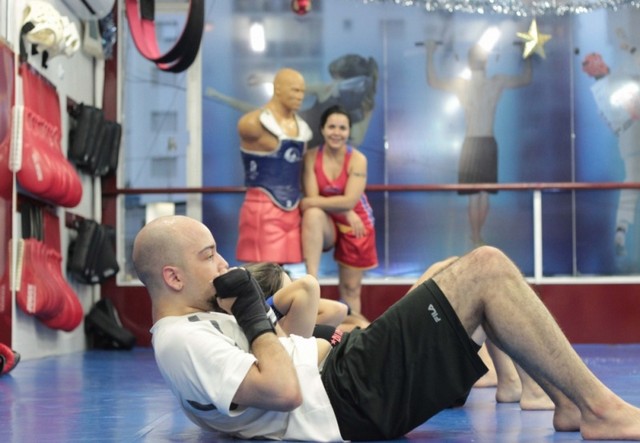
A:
{"x": 412, "y": 362}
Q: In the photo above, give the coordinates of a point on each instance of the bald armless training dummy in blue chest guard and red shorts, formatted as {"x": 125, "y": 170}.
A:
{"x": 272, "y": 142}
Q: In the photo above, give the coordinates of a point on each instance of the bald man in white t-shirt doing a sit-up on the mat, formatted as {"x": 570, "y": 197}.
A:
{"x": 233, "y": 374}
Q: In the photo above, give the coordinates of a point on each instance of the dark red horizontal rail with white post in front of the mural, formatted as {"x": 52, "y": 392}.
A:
{"x": 537, "y": 188}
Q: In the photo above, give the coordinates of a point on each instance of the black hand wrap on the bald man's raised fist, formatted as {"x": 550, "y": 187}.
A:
{"x": 249, "y": 307}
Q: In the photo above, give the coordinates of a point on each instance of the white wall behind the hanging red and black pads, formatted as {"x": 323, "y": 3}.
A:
{"x": 75, "y": 78}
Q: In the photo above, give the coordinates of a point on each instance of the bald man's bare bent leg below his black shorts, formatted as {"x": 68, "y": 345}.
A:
{"x": 486, "y": 288}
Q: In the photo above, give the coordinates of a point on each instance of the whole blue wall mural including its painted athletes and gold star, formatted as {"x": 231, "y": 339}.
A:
{"x": 445, "y": 99}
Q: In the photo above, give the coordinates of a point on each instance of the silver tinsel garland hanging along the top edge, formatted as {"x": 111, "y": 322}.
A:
{"x": 521, "y": 8}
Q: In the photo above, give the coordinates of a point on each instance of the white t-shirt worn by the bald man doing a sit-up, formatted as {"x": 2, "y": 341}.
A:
{"x": 205, "y": 356}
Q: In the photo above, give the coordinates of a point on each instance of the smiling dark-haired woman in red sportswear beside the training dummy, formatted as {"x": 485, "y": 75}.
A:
{"x": 336, "y": 212}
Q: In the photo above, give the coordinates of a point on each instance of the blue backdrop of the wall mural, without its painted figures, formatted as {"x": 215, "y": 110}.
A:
{"x": 547, "y": 131}
